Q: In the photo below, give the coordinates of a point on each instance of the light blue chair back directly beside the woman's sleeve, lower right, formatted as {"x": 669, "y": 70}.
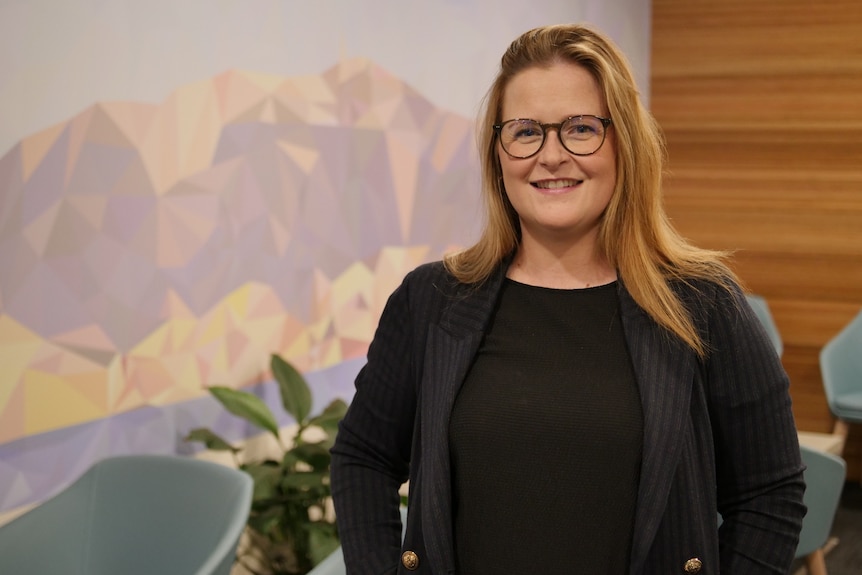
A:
{"x": 824, "y": 479}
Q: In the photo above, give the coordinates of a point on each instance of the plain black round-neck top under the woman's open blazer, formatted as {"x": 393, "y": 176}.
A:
{"x": 546, "y": 437}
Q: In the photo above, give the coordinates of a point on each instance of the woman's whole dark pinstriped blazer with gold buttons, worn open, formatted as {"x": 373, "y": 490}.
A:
{"x": 719, "y": 435}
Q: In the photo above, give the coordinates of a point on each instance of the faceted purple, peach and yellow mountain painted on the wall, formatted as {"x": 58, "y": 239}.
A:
{"x": 148, "y": 251}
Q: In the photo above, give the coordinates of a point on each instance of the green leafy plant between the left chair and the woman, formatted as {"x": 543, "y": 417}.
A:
{"x": 291, "y": 526}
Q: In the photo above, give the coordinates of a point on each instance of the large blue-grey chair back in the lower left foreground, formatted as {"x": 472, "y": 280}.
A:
{"x": 136, "y": 515}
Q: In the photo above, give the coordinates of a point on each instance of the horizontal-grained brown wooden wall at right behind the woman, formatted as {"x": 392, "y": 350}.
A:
{"x": 761, "y": 103}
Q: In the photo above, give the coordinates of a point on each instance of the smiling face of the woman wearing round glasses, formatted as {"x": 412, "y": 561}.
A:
{"x": 558, "y": 196}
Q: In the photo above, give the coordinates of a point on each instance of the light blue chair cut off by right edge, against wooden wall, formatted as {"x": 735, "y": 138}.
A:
{"x": 841, "y": 368}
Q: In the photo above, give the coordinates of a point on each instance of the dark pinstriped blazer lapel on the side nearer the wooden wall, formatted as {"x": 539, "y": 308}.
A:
{"x": 664, "y": 368}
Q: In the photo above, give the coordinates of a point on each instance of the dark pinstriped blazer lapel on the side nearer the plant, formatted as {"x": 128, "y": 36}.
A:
{"x": 451, "y": 347}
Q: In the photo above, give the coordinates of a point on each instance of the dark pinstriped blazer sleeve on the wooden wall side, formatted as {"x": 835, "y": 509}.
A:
{"x": 758, "y": 463}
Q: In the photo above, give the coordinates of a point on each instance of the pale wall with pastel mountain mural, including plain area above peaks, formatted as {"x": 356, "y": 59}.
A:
{"x": 170, "y": 216}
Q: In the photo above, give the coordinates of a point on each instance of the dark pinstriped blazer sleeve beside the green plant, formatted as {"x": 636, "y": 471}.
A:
{"x": 371, "y": 454}
